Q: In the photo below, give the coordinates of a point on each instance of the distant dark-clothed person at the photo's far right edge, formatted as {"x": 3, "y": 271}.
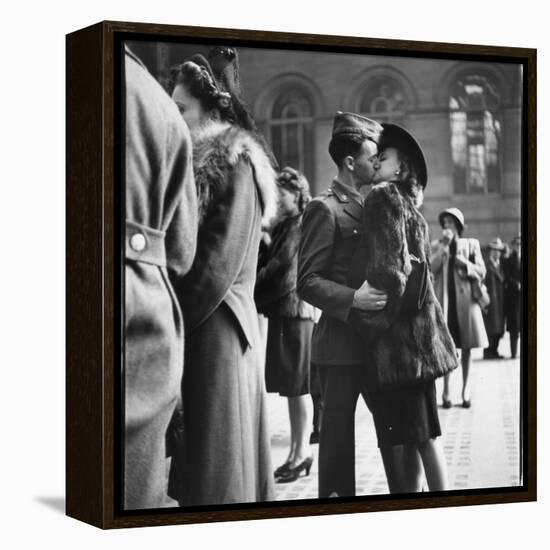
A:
{"x": 512, "y": 294}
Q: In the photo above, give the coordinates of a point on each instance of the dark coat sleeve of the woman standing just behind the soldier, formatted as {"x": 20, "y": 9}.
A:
{"x": 272, "y": 280}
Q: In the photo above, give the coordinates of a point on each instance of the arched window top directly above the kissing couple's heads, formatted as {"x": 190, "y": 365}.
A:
{"x": 384, "y": 99}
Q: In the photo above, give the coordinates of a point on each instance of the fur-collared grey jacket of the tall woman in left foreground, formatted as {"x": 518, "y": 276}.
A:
{"x": 236, "y": 193}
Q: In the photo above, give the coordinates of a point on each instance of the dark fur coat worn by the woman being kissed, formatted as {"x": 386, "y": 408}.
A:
{"x": 402, "y": 348}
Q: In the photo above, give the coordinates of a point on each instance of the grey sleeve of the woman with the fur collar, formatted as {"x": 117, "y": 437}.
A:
{"x": 223, "y": 241}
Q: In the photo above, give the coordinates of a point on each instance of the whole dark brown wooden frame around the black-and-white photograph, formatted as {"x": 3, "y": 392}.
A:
{"x": 94, "y": 272}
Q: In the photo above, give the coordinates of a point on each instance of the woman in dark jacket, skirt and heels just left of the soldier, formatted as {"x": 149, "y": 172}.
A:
{"x": 290, "y": 322}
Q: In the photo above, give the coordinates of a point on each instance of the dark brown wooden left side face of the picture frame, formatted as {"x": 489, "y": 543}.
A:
{"x": 84, "y": 271}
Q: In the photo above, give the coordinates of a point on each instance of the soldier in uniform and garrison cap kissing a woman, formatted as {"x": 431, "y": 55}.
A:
{"x": 331, "y": 230}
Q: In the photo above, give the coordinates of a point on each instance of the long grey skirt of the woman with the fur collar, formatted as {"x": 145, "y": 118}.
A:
{"x": 225, "y": 454}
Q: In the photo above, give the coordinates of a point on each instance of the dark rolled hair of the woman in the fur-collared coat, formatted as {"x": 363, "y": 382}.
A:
{"x": 203, "y": 87}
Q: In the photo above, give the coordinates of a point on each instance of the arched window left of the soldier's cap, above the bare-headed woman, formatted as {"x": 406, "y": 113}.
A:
{"x": 290, "y": 129}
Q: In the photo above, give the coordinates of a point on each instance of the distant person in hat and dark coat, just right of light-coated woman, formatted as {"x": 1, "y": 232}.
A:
{"x": 494, "y": 314}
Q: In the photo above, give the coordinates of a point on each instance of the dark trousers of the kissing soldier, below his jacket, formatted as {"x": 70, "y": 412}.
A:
{"x": 341, "y": 386}
